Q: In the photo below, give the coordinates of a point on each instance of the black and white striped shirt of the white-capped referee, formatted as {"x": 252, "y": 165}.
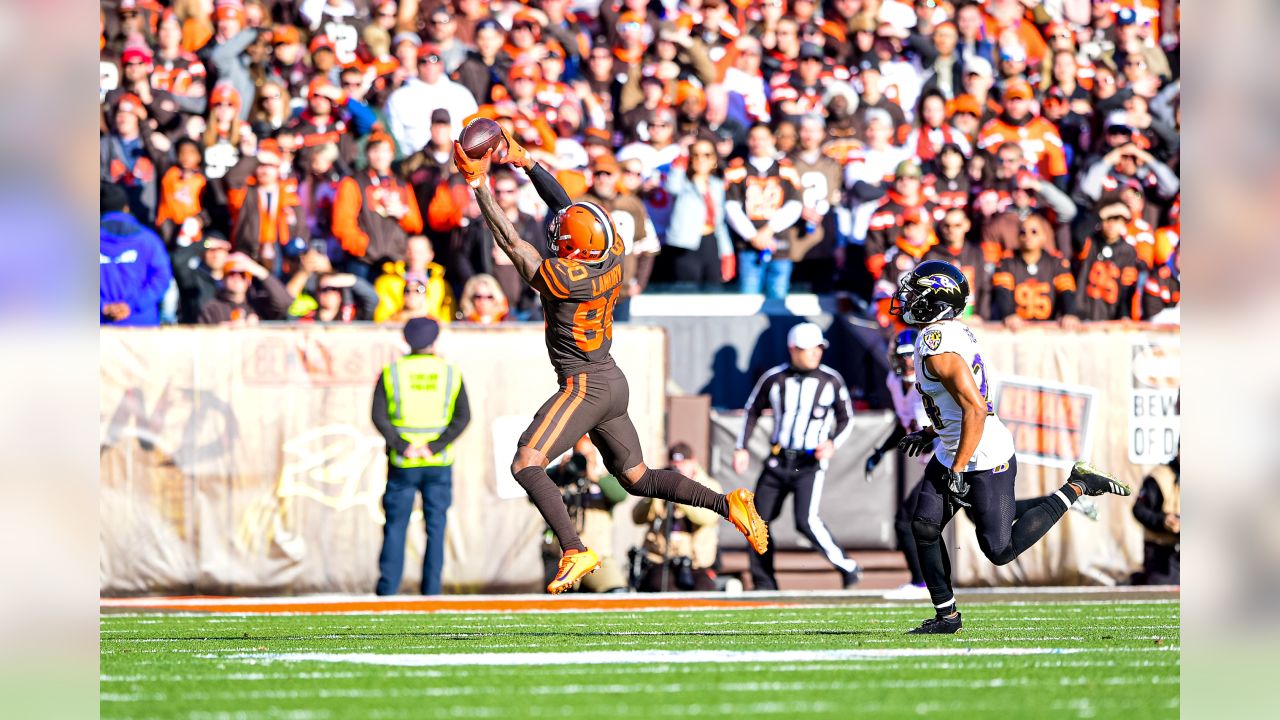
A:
{"x": 810, "y": 408}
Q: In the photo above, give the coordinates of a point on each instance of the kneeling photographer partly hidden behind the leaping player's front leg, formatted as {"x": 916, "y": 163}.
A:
{"x": 591, "y": 493}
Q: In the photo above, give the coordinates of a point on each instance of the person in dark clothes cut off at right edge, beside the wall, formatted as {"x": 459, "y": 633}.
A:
{"x": 1160, "y": 511}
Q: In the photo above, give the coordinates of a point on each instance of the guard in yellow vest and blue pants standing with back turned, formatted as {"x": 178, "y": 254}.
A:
{"x": 420, "y": 408}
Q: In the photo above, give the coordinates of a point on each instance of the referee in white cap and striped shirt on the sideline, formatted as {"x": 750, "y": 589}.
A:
{"x": 811, "y": 421}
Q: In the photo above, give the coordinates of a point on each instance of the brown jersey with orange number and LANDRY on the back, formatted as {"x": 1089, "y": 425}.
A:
{"x": 578, "y": 302}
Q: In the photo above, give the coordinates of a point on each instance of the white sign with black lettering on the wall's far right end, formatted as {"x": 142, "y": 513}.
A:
{"x": 1155, "y": 412}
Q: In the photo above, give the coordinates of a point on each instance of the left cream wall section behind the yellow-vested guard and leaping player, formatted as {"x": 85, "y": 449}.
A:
{"x": 245, "y": 461}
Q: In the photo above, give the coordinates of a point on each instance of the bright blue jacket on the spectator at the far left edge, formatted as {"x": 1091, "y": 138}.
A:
{"x": 134, "y": 268}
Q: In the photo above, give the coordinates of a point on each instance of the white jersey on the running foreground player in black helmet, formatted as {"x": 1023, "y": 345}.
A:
{"x": 996, "y": 445}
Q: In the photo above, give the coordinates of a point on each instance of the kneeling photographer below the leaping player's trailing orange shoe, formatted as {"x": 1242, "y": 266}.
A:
{"x": 684, "y": 563}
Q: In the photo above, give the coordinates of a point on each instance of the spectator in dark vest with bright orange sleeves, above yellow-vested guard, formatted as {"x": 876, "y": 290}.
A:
{"x": 376, "y": 213}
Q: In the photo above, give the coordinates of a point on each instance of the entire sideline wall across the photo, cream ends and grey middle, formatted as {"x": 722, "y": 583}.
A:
{"x": 245, "y": 462}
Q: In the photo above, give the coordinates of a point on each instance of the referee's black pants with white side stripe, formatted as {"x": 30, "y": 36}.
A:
{"x": 803, "y": 477}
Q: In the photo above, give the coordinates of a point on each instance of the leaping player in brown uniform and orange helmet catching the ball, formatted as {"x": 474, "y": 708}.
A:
{"x": 579, "y": 288}
